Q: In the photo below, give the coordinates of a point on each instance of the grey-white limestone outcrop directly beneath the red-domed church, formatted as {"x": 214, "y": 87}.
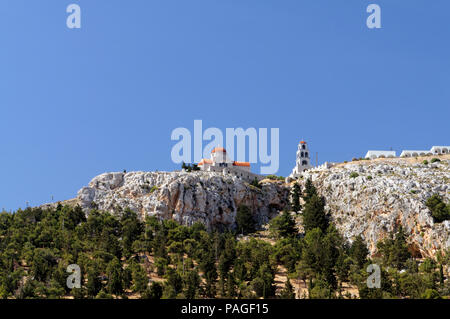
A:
{"x": 208, "y": 197}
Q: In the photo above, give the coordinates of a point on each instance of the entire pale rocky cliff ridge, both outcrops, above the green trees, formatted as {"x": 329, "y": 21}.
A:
{"x": 368, "y": 198}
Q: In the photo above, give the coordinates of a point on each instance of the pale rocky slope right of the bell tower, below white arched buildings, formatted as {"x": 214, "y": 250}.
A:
{"x": 385, "y": 195}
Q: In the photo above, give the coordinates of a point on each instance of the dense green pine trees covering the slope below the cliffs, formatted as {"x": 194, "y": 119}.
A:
{"x": 122, "y": 256}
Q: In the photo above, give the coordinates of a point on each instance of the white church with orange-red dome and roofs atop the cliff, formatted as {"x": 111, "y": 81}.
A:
{"x": 220, "y": 162}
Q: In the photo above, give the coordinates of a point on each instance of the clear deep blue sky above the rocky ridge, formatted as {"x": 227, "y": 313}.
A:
{"x": 77, "y": 103}
